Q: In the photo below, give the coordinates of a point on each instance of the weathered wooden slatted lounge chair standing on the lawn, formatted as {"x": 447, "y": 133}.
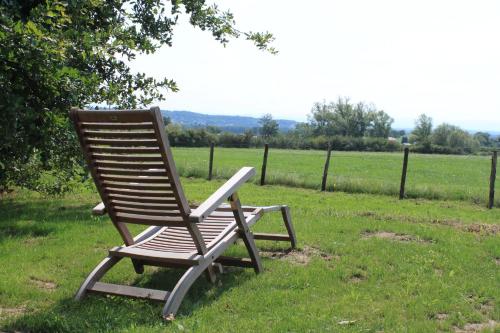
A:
{"x": 130, "y": 160}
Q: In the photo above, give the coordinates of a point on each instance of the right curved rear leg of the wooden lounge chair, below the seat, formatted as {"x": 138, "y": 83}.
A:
{"x": 181, "y": 288}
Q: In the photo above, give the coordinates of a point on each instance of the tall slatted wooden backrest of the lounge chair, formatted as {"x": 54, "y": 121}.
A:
{"x": 129, "y": 157}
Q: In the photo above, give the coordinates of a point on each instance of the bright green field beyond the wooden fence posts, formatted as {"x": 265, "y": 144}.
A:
{"x": 429, "y": 176}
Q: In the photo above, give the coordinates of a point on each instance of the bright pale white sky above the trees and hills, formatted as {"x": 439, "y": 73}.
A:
{"x": 438, "y": 57}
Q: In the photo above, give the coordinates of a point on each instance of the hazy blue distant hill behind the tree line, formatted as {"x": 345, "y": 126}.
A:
{"x": 236, "y": 124}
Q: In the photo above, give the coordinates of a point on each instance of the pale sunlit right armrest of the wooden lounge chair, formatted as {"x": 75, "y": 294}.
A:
{"x": 222, "y": 194}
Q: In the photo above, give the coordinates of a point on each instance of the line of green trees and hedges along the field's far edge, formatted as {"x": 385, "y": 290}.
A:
{"x": 345, "y": 126}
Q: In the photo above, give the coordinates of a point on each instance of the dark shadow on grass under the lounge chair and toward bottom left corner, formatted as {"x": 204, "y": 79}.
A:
{"x": 116, "y": 313}
